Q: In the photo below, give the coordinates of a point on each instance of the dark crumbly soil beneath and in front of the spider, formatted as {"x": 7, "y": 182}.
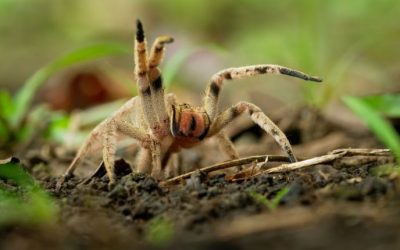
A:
{"x": 351, "y": 202}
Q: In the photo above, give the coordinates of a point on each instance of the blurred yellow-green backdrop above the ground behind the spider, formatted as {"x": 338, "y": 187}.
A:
{"x": 352, "y": 45}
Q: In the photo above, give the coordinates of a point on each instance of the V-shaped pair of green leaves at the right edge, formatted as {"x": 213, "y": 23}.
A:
{"x": 371, "y": 110}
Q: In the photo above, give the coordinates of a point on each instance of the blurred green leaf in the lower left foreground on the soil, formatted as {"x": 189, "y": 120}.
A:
{"x": 22, "y": 200}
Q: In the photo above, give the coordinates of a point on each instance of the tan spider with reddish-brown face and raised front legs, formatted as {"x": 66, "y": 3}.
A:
{"x": 162, "y": 126}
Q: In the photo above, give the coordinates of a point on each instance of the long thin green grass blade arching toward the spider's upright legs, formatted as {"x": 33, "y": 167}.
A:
{"x": 27, "y": 92}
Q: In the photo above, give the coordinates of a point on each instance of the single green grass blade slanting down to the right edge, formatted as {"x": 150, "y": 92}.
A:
{"x": 378, "y": 125}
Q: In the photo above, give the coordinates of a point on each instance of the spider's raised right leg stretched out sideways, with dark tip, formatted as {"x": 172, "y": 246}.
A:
{"x": 214, "y": 86}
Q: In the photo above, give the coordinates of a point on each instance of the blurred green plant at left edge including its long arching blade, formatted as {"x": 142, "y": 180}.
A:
{"x": 18, "y": 120}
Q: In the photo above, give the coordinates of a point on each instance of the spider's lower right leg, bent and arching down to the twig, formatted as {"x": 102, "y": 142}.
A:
{"x": 259, "y": 118}
